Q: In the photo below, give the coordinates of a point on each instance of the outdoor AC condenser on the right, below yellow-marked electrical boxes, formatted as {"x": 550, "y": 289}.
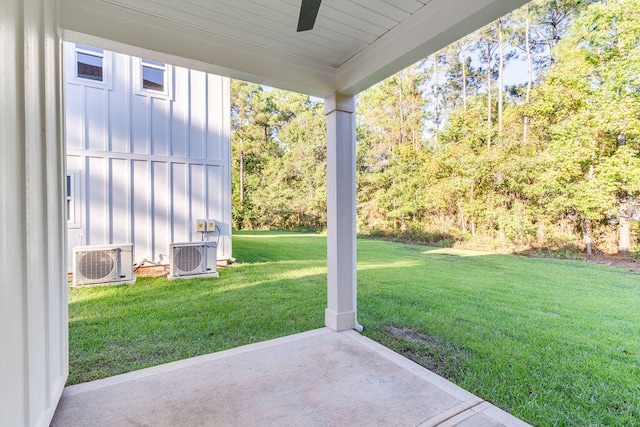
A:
{"x": 192, "y": 260}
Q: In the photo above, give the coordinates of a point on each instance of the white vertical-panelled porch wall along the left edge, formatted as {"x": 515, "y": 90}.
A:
{"x": 33, "y": 287}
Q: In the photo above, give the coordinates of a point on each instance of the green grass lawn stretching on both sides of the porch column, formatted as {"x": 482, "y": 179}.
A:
{"x": 553, "y": 342}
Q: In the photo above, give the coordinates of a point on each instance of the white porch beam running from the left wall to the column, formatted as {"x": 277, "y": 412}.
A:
{"x": 127, "y": 31}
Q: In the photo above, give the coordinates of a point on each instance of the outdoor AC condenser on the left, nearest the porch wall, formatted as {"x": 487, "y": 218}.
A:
{"x": 109, "y": 264}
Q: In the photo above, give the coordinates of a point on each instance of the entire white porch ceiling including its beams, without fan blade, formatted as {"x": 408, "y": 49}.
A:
{"x": 355, "y": 43}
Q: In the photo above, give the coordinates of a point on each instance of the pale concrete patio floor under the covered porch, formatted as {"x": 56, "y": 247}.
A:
{"x": 316, "y": 378}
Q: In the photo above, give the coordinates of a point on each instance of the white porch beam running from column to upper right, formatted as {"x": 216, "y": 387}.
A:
{"x": 435, "y": 26}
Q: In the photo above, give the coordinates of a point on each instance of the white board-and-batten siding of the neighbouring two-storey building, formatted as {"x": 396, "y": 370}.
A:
{"x": 142, "y": 166}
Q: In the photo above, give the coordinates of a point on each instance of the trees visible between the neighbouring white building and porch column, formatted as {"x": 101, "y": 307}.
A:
{"x": 279, "y": 152}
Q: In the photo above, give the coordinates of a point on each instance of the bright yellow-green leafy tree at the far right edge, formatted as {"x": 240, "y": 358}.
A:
{"x": 591, "y": 121}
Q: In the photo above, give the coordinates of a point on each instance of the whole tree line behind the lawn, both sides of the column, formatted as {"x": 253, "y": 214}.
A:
{"x": 447, "y": 153}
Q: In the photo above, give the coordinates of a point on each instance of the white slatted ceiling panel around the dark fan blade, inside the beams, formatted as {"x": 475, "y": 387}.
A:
{"x": 343, "y": 27}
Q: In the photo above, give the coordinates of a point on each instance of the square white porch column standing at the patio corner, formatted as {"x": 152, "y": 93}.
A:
{"x": 341, "y": 212}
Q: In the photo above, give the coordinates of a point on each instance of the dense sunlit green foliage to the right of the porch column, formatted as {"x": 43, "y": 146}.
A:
{"x": 549, "y": 188}
